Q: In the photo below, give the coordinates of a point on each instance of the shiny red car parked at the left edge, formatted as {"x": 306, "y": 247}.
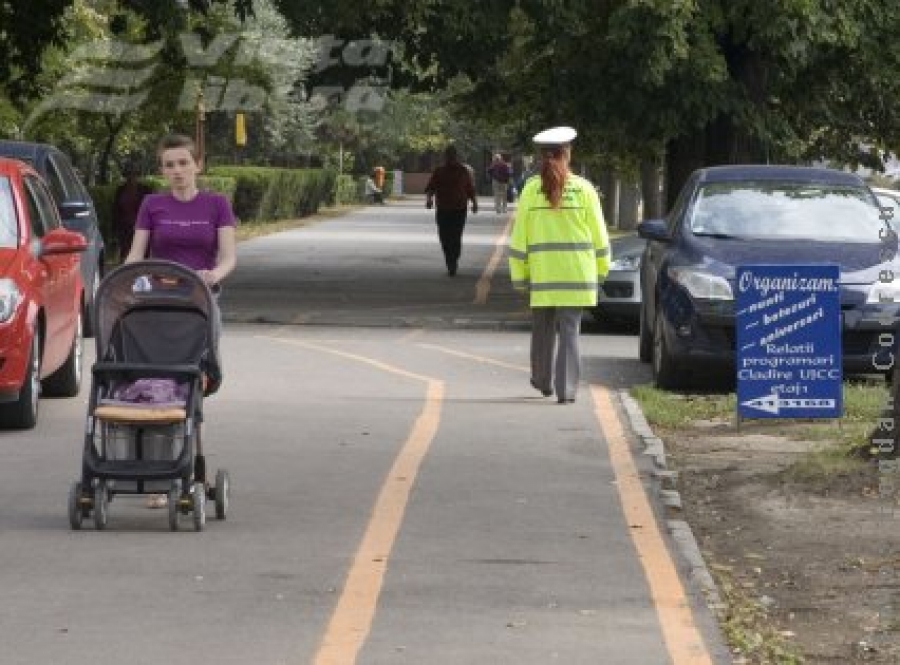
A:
{"x": 41, "y": 296}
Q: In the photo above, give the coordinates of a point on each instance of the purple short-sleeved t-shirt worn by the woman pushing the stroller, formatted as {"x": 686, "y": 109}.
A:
{"x": 186, "y": 232}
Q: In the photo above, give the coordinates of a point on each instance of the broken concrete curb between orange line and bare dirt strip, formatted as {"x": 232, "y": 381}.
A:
{"x": 697, "y": 571}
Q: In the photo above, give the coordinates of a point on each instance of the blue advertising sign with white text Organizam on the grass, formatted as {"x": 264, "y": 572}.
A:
{"x": 788, "y": 321}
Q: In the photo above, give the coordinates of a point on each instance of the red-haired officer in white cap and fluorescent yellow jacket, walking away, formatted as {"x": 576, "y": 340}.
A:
{"x": 558, "y": 255}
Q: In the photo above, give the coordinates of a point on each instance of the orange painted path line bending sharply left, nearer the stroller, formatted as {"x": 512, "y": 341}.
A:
{"x": 352, "y": 618}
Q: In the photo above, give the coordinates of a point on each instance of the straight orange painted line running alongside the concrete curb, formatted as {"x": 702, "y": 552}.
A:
{"x": 682, "y": 637}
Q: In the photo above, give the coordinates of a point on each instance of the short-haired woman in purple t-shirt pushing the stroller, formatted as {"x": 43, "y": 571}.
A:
{"x": 186, "y": 225}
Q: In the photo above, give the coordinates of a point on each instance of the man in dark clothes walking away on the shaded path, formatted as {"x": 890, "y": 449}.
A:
{"x": 451, "y": 184}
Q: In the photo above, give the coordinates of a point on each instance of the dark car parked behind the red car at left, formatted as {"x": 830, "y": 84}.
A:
{"x": 76, "y": 209}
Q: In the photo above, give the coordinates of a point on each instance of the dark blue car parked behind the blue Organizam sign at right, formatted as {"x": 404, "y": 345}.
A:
{"x": 734, "y": 215}
